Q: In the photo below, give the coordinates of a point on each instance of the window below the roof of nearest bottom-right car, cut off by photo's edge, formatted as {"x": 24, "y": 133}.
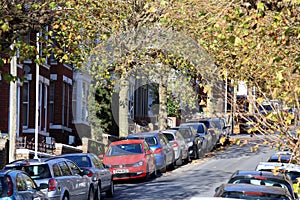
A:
{"x": 253, "y": 195}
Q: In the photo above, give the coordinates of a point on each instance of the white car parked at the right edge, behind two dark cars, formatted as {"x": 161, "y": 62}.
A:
{"x": 291, "y": 170}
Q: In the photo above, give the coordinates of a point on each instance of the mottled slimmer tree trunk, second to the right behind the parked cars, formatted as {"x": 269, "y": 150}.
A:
{"x": 162, "y": 113}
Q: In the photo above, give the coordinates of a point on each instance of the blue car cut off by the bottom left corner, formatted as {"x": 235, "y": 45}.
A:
{"x": 16, "y": 184}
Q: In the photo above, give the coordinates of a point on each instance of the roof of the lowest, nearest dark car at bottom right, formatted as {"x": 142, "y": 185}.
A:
{"x": 229, "y": 187}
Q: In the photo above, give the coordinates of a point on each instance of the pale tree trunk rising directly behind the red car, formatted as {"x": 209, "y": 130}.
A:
{"x": 123, "y": 108}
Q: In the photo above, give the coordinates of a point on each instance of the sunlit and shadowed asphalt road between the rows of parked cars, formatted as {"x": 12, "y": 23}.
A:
{"x": 198, "y": 178}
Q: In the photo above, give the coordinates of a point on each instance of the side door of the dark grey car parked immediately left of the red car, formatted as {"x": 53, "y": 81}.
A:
{"x": 104, "y": 173}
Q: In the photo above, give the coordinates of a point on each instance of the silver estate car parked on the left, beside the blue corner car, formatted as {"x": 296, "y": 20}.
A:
{"x": 63, "y": 178}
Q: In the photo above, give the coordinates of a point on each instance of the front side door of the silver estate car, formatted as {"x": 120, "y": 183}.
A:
{"x": 81, "y": 188}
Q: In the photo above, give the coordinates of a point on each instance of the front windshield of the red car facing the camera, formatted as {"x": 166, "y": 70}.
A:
{"x": 124, "y": 149}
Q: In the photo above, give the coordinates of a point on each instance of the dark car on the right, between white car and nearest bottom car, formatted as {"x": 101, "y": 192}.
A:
{"x": 263, "y": 178}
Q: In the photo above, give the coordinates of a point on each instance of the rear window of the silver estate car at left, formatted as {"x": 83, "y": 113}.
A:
{"x": 35, "y": 171}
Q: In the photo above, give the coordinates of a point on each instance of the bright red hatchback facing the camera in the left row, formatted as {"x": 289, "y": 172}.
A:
{"x": 130, "y": 159}
